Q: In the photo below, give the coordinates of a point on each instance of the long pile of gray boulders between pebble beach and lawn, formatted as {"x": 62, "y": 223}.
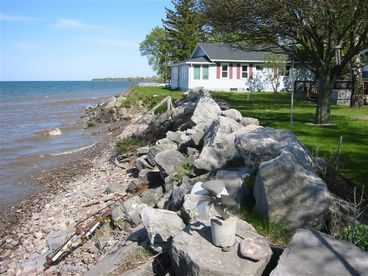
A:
{"x": 199, "y": 141}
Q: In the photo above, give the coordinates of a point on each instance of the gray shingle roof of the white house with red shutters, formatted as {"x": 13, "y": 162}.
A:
{"x": 217, "y": 51}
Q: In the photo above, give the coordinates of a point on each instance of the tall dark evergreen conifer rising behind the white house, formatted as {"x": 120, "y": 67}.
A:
{"x": 183, "y": 25}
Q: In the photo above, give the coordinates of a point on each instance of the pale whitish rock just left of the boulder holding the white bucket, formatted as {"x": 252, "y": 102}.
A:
{"x": 162, "y": 226}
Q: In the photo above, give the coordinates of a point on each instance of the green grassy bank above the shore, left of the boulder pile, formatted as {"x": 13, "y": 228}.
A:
{"x": 150, "y": 96}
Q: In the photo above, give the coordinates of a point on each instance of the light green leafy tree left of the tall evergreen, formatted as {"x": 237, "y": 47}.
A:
{"x": 155, "y": 47}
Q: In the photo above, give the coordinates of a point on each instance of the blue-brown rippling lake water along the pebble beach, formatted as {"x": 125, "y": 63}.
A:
{"x": 28, "y": 108}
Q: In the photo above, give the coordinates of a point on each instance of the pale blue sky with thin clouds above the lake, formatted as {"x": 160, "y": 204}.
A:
{"x": 75, "y": 39}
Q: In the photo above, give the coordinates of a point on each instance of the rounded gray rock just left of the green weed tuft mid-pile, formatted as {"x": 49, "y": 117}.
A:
{"x": 168, "y": 161}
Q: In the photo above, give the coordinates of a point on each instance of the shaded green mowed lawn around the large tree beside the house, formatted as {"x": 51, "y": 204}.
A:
{"x": 273, "y": 110}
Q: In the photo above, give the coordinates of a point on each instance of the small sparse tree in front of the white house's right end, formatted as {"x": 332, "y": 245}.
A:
{"x": 278, "y": 63}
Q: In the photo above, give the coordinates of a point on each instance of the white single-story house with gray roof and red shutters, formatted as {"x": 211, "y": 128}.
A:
{"x": 222, "y": 67}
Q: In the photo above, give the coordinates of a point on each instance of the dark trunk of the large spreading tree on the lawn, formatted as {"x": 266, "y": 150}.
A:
{"x": 324, "y": 96}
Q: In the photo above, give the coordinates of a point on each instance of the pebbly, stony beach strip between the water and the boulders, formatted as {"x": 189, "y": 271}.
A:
{"x": 58, "y": 208}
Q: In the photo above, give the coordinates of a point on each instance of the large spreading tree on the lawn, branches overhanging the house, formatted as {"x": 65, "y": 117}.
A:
{"x": 310, "y": 32}
